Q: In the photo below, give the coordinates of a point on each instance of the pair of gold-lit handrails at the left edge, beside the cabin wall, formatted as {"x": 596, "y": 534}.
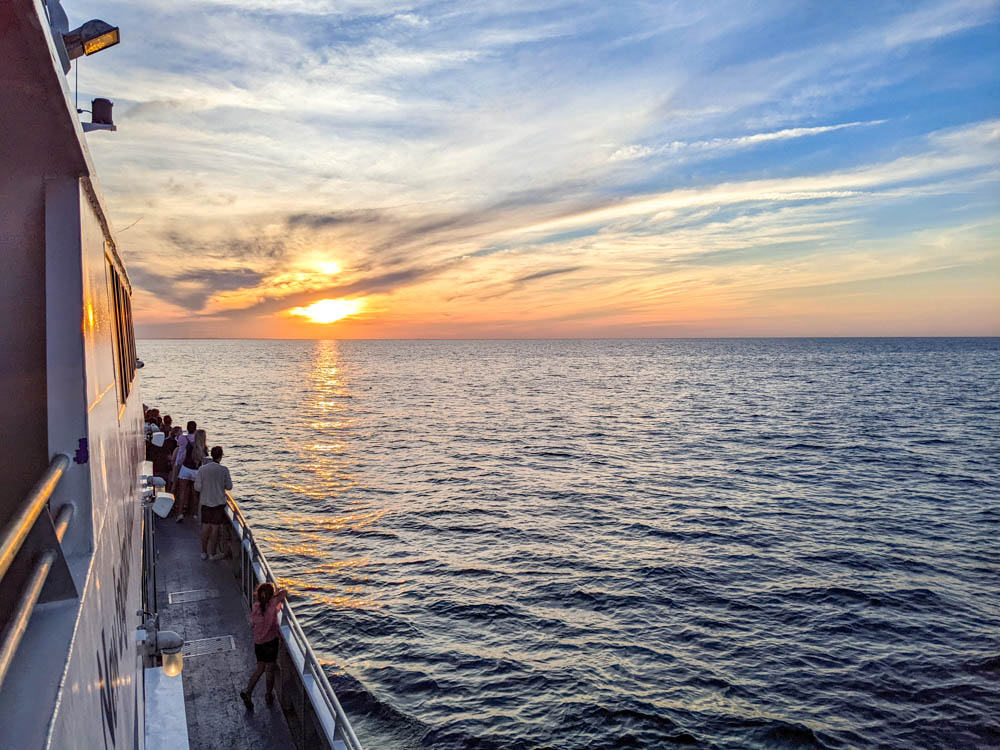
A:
{"x": 13, "y": 538}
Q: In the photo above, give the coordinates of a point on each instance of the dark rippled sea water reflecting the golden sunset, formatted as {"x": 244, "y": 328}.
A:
{"x": 613, "y": 544}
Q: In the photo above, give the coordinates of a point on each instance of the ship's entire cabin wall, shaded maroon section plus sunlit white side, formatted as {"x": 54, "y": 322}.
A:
{"x": 76, "y": 680}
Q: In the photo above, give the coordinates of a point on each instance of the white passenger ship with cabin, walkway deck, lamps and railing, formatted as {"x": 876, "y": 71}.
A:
{"x": 113, "y": 632}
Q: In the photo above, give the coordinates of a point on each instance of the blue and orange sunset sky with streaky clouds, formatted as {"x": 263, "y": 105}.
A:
{"x": 379, "y": 169}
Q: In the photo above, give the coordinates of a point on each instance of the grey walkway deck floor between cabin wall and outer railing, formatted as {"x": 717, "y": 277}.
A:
{"x": 216, "y": 717}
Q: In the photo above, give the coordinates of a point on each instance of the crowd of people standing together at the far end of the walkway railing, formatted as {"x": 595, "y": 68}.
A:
{"x": 194, "y": 475}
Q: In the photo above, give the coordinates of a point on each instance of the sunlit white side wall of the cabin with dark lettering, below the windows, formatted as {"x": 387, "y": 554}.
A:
{"x": 101, "y": 703}
